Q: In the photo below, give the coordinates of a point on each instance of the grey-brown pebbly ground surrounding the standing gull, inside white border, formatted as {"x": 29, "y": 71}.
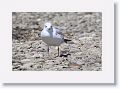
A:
{"x": 84, "y": 53}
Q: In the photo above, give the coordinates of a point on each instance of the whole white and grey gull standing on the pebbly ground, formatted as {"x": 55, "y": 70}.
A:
{"x": 52, "y": 36}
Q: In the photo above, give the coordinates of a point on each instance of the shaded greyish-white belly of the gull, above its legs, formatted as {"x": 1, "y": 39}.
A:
{"x": 52, "y": 41}
